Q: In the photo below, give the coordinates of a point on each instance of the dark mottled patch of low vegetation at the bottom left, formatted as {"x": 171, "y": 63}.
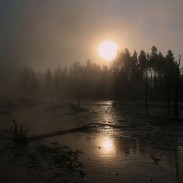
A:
{"x": 60, "y": 161}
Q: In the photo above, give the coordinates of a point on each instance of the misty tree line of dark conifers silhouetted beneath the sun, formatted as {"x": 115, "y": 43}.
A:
{"x": 128, "y": 77}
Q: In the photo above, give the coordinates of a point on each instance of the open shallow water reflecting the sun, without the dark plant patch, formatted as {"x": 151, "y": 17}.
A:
{"x": 121, "y": 145}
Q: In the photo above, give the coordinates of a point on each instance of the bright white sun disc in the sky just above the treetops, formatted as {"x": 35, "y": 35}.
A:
{"x": 108, "y": 50}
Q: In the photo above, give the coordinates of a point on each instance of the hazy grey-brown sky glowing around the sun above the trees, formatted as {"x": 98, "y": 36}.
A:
{"x": 47, "y": 33}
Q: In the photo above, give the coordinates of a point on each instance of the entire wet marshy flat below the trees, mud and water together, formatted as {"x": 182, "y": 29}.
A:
{"x": 101, "y": 142}
